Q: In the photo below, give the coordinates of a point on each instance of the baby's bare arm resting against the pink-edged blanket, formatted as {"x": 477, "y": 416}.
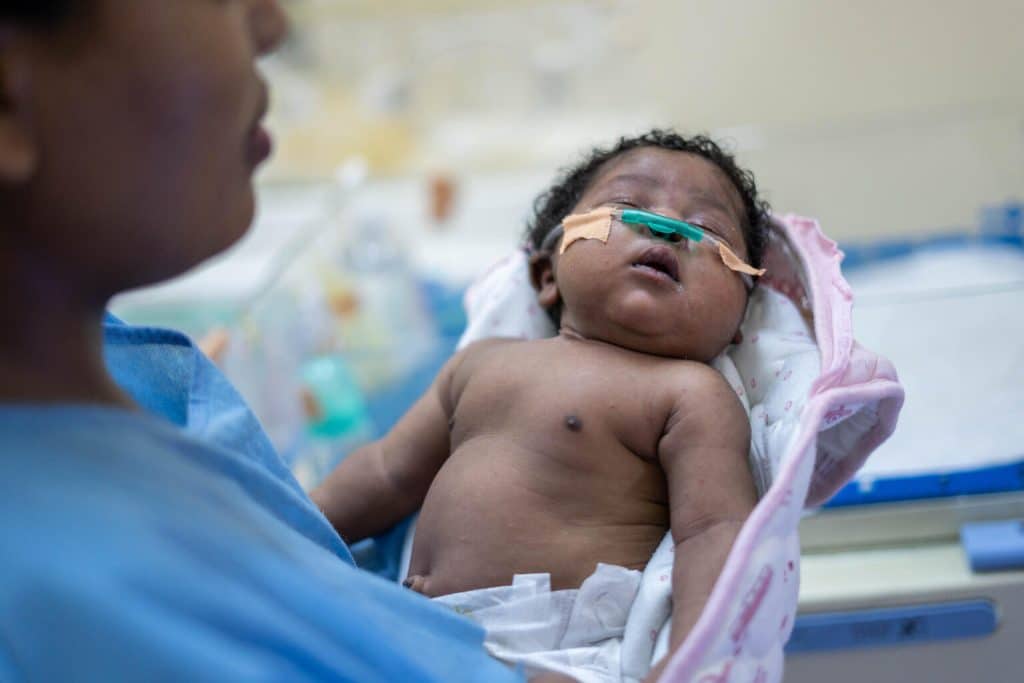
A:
{"x": 704, "y": 452}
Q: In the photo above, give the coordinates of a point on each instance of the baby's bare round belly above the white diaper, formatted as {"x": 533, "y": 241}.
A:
{"x": 496, "y": 510}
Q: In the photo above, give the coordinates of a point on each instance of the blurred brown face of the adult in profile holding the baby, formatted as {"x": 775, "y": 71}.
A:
{"x": 146, "y": 121}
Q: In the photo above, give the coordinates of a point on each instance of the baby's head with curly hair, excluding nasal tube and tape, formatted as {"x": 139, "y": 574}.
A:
{"x": 638, "y": 291}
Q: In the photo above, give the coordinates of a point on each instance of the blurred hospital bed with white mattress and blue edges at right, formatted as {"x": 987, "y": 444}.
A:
{"x": 915, "y": 572}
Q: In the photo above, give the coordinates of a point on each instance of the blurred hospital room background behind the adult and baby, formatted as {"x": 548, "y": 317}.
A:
{"x": 412, "y": 138}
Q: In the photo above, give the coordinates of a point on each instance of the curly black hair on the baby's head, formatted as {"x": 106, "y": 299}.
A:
{"x": 554, "y": 204}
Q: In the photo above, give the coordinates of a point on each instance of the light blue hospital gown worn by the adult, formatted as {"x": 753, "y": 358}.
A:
{"x": 174, "y": 545}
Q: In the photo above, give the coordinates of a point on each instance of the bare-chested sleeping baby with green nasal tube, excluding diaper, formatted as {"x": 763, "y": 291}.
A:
{"x": 562, "y": 455}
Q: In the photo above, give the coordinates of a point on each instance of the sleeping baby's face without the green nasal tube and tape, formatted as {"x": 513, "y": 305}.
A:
{"x": 645, "y": 293}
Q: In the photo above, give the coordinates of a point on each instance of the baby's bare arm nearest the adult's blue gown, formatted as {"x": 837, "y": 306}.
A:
{"x": 385, "y": 482}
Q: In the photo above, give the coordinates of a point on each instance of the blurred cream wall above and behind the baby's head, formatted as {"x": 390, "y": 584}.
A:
{"x": 879, "y": 117}
